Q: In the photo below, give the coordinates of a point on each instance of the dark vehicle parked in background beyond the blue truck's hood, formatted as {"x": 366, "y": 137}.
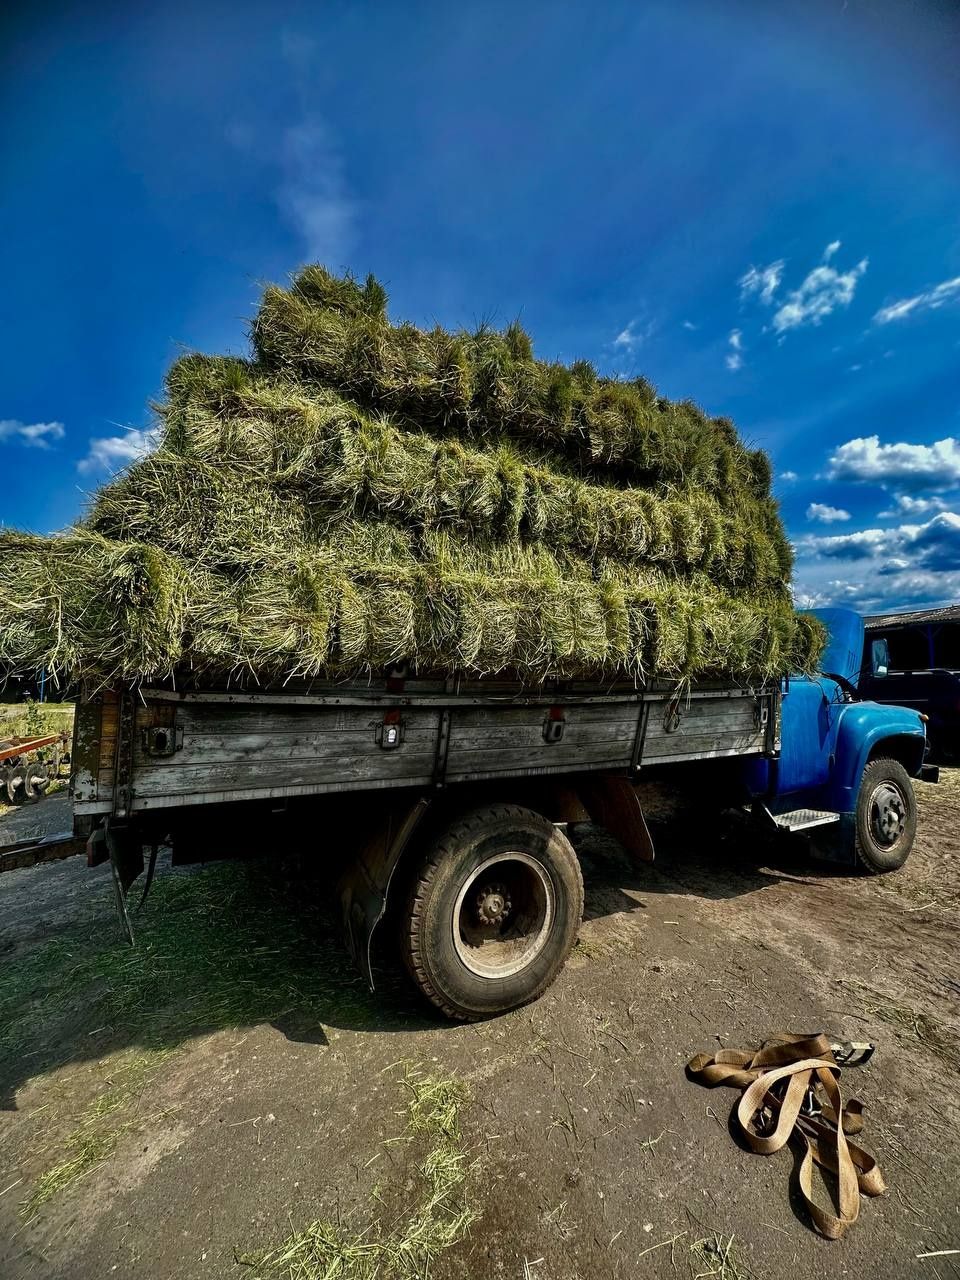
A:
{"x": 913, "y": 660}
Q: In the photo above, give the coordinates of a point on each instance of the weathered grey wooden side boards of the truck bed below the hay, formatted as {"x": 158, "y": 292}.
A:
{"x": 149, "y": 749}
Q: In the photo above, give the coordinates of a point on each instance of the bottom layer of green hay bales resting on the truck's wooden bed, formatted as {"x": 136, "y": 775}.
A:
{"x": 373, "y": 595}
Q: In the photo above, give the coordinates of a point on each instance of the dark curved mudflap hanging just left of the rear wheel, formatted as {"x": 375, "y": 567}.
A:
{"x": 365, "y": 884}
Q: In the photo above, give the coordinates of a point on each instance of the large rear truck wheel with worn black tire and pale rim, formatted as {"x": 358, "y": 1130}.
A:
{"x": 493, "y": 913}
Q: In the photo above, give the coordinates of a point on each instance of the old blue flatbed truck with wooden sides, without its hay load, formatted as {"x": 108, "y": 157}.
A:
{"x": 447, "y": 799}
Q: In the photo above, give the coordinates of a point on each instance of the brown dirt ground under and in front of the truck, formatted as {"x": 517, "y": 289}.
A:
{"x": 179, "y": 1108}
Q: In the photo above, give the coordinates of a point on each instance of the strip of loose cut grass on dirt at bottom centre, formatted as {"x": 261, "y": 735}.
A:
{"x": 440, "y": 1218}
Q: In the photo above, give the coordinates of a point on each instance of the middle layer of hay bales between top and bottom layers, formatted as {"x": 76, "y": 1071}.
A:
{"x": 287, "y": 490}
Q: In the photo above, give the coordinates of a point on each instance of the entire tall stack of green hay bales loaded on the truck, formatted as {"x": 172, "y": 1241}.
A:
{"x": 359, "y": 493}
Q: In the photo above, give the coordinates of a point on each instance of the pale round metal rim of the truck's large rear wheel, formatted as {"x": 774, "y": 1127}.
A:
{"x": 504, "y": 916}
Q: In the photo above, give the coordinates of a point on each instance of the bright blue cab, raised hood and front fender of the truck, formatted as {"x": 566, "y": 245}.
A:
{"x": 826, "y": 740}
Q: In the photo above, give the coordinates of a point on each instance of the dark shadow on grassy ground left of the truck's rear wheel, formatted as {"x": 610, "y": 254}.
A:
{"x": 218, "y": 947}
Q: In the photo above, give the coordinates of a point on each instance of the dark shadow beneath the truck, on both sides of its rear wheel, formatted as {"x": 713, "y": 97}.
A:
{"x": 246, "y": 944}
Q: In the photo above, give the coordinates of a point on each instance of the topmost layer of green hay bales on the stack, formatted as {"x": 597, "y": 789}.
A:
{"x": 484, "y": 385}
